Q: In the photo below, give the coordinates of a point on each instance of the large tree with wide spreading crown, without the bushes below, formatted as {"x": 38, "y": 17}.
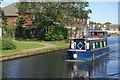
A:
{"x": 50, "y": 14}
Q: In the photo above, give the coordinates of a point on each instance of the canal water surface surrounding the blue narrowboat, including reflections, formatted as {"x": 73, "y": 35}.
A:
{"x": 54, "y": 65}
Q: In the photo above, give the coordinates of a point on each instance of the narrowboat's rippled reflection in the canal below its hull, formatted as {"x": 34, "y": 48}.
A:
{"x": 91, "y": 69}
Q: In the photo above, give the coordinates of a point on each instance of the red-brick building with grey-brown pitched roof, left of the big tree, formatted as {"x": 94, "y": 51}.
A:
{"x": 11, "y": 11}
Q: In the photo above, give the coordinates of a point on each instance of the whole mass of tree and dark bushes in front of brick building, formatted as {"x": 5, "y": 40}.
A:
{"x": 48, "y": 17}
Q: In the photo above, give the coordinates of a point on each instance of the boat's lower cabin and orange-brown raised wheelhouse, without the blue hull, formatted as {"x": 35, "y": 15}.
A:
{"x": 95, "y": 40}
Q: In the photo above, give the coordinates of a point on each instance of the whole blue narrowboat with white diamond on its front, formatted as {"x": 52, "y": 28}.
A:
{"x": 94, "y": 45}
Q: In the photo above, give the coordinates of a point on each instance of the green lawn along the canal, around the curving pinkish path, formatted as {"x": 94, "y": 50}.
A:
{"x": 20, "y": 46}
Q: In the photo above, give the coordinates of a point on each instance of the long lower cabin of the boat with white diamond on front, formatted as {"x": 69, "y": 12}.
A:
{"x": 87, "y": 44}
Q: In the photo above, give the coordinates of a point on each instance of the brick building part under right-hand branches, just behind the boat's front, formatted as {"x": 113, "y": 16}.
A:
{"x": 78, "y": 29}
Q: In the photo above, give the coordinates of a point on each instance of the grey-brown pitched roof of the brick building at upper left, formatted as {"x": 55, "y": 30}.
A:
{"x": 11, "y": 10}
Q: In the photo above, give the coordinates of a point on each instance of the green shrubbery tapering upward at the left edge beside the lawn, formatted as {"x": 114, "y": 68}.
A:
{"x": 7, "y": 41}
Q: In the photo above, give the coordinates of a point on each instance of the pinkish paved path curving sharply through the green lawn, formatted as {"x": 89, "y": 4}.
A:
{"x": 46, "y": 46}
